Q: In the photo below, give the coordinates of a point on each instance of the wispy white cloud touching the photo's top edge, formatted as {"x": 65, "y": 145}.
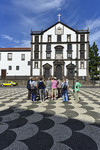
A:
{"x": 40, "y": 5}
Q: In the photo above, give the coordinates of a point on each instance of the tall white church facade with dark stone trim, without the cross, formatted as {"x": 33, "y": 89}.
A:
{"x": 60, "y": 51}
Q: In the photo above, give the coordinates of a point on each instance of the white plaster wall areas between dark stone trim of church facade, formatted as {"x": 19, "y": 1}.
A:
{"x": 75, "y": 49}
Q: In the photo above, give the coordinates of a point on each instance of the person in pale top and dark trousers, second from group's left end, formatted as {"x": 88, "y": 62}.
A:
{"x": 33, "y": 85}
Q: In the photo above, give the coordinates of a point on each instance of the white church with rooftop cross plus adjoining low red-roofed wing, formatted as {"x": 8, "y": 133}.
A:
{"x": 57, "y": 51}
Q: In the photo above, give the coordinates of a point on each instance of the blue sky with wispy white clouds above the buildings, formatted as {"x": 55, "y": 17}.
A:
{"x": 18, "y": 17}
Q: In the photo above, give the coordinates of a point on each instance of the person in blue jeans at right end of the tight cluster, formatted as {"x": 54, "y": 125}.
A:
{"x": 64, "y": 89}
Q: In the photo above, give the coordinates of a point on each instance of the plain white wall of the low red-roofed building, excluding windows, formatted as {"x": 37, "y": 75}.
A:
{"x": 24, "y": 68}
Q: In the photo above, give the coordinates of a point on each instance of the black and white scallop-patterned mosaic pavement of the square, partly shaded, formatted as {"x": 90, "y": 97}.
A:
{"x": 49, "y": 125}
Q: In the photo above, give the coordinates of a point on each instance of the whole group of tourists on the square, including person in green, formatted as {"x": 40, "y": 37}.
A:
{"x": 39, "y": 88}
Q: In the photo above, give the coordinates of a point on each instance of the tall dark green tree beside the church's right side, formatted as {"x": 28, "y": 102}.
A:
{"x": 94, "y": 60}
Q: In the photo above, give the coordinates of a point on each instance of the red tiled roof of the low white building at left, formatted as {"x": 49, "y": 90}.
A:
{"x": 15, "y": 49}
